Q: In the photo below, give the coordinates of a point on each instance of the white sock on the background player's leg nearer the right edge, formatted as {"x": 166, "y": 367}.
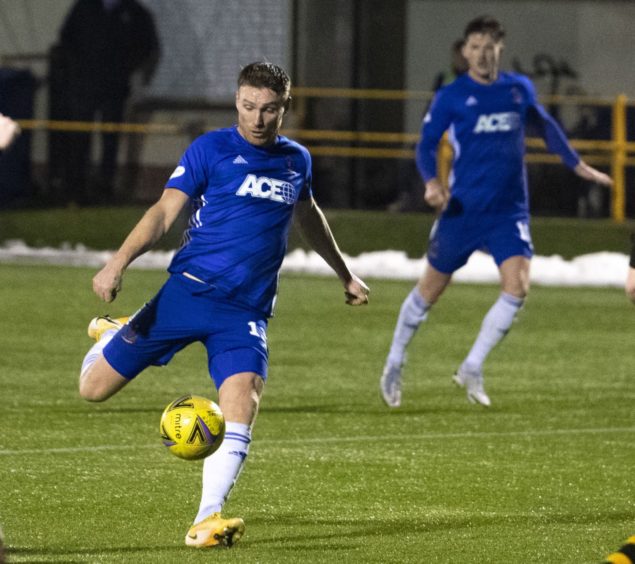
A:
{"x": 495, "y": 326}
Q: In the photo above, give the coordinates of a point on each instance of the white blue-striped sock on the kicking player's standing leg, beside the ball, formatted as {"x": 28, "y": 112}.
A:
{"x": 221, "y": 469}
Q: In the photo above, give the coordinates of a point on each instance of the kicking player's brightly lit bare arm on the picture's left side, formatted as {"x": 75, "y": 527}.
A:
{"x": 152, "y": 226}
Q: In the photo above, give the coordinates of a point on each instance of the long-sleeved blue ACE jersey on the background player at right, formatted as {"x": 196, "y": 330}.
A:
{"x": 486, "y": 127}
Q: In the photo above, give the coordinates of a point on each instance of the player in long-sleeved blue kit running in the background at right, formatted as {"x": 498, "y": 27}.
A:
{"x": 486, "y": 207}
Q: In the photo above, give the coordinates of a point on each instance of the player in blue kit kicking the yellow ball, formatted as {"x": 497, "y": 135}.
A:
{"x": 245, "y": 183}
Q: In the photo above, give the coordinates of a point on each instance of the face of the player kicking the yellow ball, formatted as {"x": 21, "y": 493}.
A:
{"x": 260, "y": 112}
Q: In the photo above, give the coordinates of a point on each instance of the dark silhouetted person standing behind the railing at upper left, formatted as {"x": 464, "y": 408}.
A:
{"x": 102, "y": 45}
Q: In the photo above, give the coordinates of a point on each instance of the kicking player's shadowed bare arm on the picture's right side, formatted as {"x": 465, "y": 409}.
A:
{"x": 317, "y": 233}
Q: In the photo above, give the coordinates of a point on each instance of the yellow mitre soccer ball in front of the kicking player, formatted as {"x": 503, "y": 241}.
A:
{"x": 192, "y": 427}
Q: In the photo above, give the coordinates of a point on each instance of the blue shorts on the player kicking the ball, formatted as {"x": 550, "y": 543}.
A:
{"x": 185, "y": 311}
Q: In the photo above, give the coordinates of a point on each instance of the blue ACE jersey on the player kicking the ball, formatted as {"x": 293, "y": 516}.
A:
{"x": 243, "y": 200}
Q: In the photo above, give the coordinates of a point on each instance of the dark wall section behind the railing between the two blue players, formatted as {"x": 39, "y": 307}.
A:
{"x": 355, "y": 44}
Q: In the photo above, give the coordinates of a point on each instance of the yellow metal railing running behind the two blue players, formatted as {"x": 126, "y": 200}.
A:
{"x": 616, "y": 153}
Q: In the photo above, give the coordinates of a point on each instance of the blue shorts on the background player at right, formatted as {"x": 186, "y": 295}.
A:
{"x": 454, "y": 239}
